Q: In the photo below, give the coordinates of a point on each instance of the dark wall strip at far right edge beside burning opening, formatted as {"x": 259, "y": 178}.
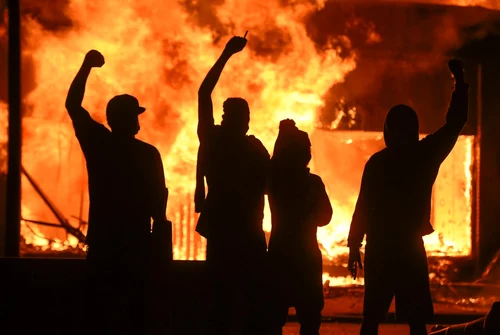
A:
{"x": 485, "y": 53}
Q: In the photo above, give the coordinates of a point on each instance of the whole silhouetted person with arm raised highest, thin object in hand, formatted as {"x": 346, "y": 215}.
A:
{"x": 234, "y": 166}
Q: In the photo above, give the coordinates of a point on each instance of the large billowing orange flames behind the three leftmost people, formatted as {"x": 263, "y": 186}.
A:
{"x": 157, "y": 54}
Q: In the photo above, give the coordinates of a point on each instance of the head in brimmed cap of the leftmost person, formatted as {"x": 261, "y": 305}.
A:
{"x": 122, "y": 113}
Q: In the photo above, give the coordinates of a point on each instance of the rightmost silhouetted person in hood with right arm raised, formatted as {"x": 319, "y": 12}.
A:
{"x": 393, "y": 211}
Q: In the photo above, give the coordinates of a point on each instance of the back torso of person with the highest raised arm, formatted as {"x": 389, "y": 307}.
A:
{"x": 235, "y": 177}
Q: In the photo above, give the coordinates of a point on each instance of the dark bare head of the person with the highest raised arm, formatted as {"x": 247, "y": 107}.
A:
{"x": 236, "y": 117}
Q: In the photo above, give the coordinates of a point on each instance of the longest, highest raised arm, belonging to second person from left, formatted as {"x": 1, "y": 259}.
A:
{"x": 205, "y": 107}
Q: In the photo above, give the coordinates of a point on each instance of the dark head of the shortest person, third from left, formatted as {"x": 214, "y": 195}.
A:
{"x": 292, "y": 148}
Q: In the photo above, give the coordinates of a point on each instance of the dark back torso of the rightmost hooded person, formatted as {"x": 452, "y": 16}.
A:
{"x": 402, "y": 181}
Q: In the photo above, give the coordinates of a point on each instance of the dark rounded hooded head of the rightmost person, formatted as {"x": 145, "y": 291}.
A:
{"x": 401, "y": 126}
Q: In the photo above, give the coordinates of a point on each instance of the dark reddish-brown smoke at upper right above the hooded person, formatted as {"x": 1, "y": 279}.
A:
{"x": 402, "y": 54}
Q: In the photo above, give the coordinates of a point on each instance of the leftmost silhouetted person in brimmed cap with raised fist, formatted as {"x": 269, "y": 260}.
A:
{"x": 126, "y": 190}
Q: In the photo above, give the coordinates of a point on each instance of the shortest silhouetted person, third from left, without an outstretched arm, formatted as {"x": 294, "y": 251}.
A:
{"x": 299, "y": 205}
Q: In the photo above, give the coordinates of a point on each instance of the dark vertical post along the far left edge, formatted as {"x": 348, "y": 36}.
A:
{"x": 13, "y": 212}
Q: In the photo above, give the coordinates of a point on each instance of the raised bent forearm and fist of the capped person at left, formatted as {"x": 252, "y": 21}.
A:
{"x": 77, "y": 88}
